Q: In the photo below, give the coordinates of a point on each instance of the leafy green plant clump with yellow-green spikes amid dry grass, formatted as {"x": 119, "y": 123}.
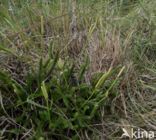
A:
{"x": 53, "y": 100}
